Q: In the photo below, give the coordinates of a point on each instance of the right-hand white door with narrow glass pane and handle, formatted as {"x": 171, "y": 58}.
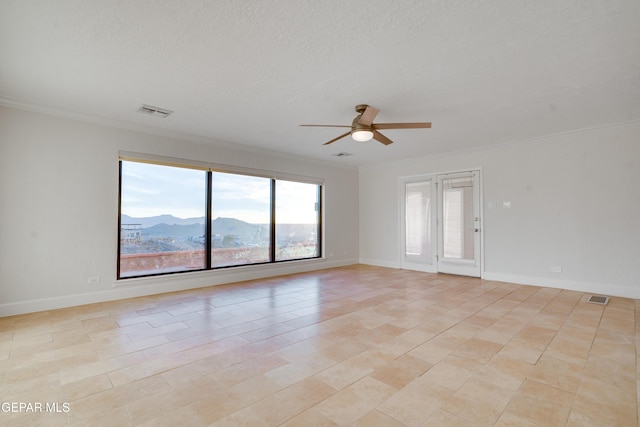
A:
{"x": 459, "y": 223}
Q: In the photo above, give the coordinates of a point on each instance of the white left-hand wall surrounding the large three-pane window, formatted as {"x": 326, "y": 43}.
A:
{"x": 58, "y": 215}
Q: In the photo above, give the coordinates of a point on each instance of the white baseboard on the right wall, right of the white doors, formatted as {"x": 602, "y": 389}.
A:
{"x": 572, "y": 285}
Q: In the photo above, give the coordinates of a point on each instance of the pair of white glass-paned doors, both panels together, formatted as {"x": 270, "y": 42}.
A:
{"x": 440, "y": 217}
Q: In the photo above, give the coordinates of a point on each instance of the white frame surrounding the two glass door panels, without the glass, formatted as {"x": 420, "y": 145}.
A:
{"x": 432, "y": 265}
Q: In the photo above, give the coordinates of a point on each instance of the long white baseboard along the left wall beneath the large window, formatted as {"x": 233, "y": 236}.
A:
{"x": 131, "y": 288}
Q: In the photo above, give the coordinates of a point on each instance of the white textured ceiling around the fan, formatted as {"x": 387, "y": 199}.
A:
{"x": 250, "y": 71}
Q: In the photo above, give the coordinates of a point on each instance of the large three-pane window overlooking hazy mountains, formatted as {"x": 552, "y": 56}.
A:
{"x": 177, "y": 219}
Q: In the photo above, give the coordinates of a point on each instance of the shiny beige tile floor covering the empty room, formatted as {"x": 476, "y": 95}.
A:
{"x": 352, "y": 346}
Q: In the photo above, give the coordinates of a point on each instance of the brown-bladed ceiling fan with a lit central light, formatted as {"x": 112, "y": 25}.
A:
{"x": 363, "y": 128}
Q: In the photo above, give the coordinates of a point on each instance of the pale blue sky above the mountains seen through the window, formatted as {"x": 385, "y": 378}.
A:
{"x": 150, "y": 190}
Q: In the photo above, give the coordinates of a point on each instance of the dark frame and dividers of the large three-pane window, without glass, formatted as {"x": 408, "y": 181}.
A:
{"x": 210, "y": 168}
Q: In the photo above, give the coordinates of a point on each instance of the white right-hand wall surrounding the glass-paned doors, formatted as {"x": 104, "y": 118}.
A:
{"x": 575, "y": 203}
